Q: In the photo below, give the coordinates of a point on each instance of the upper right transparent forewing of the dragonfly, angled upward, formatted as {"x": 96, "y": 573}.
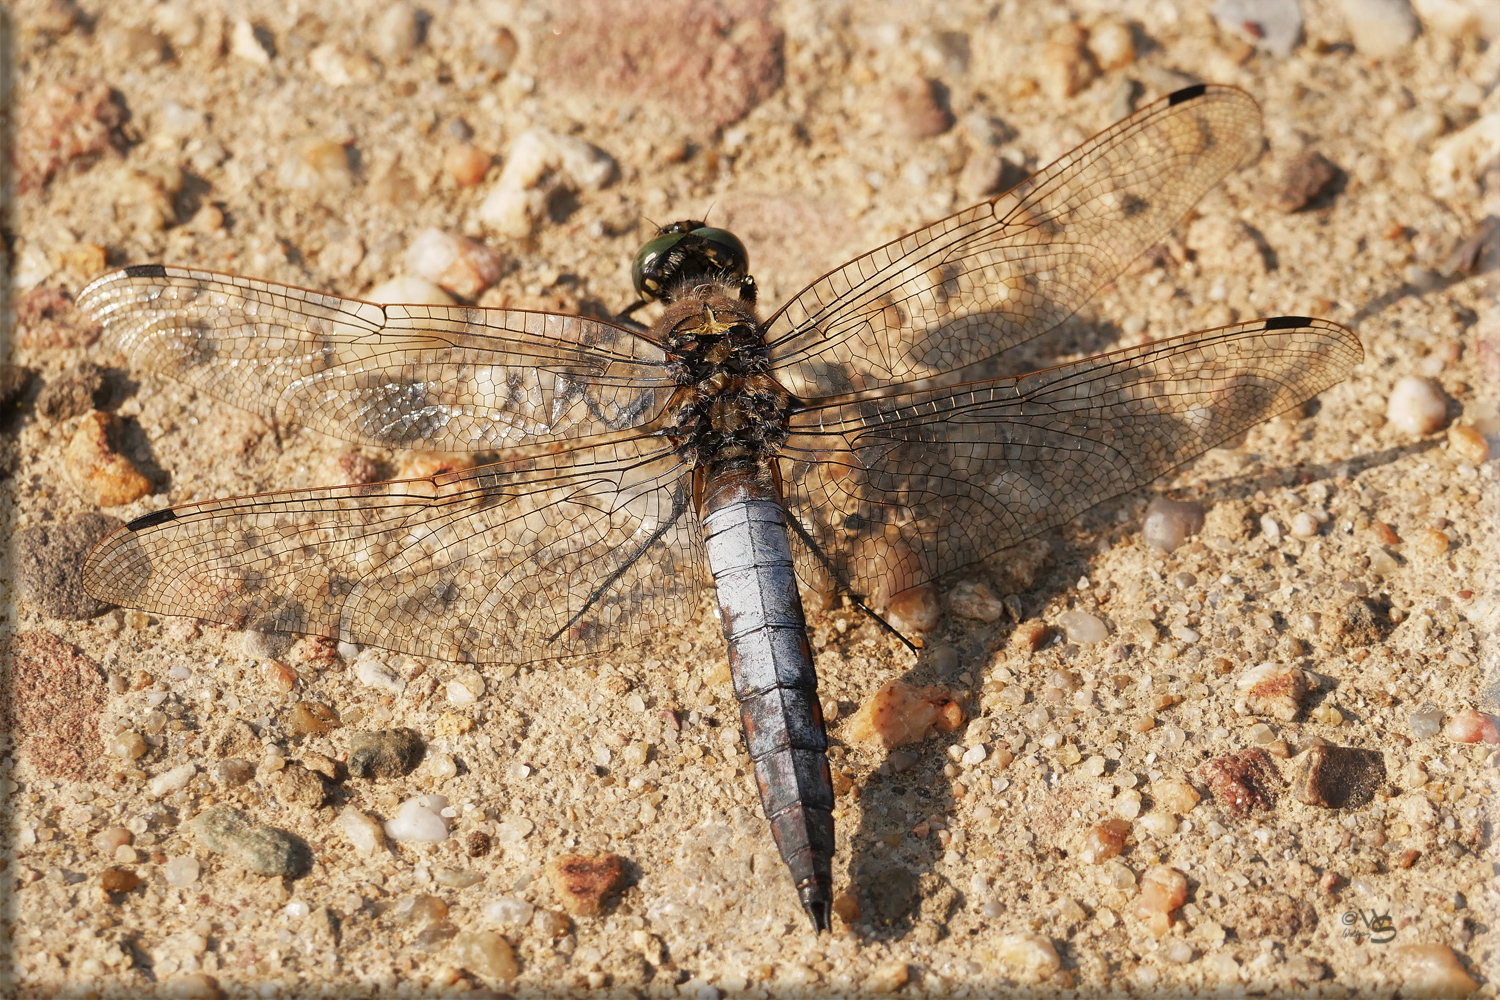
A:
{"x": 1004, "y": 272}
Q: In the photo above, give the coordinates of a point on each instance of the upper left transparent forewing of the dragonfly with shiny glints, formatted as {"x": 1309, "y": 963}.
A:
{"x": 437, "y": 379}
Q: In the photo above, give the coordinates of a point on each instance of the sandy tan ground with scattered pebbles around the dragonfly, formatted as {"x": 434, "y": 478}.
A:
{"x": 307, "y": 145}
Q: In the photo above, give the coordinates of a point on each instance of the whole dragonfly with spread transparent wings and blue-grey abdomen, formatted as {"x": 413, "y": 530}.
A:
{"x": 859, "y": 440}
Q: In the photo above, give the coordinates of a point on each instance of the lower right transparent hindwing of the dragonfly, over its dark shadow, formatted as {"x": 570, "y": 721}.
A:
{"x": 902, "y": 490}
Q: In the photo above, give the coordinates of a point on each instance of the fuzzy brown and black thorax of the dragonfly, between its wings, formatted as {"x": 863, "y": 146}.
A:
{"x": 731, "y": 409}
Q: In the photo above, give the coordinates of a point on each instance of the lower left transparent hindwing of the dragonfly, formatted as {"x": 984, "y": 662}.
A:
{"x": 556, "y": 555}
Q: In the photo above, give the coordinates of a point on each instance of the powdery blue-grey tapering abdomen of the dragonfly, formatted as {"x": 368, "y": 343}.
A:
{"x": 751, "y": 558}
